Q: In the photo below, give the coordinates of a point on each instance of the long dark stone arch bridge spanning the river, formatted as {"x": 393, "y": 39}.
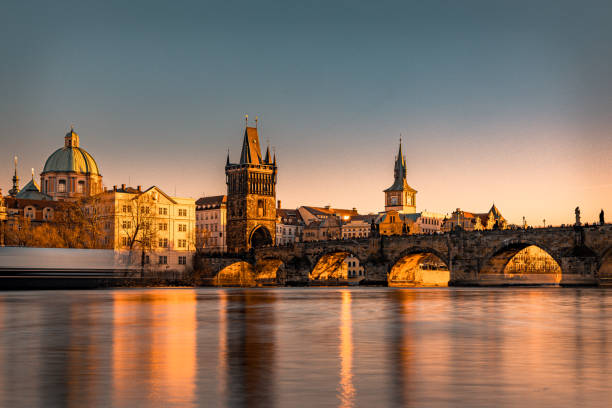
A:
{"x": 584, "y": 255}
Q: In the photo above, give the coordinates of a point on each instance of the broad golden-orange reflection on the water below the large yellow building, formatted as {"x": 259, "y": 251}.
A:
{"x": 155, "y": 331}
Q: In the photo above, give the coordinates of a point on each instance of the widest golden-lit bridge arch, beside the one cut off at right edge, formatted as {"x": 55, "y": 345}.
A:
{"x": 521, "y": 261}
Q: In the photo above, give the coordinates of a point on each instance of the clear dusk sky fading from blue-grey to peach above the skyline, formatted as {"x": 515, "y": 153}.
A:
{"x": 505, "y": 102}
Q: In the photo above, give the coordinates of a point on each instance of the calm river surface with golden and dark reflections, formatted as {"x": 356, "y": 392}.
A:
{"x": 363, "y": 347}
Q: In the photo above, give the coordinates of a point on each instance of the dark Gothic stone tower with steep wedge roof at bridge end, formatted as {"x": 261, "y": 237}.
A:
{"x": 251, "y": 195}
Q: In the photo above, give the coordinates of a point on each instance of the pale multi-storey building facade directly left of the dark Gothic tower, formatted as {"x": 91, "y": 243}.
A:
{"x": 211, "y": 223}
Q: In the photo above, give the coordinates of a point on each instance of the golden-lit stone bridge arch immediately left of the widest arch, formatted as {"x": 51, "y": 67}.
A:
{"x": 419, "y": 266}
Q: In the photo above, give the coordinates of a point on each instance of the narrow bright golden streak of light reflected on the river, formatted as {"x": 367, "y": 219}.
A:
{"x": 347, "y": 389}
